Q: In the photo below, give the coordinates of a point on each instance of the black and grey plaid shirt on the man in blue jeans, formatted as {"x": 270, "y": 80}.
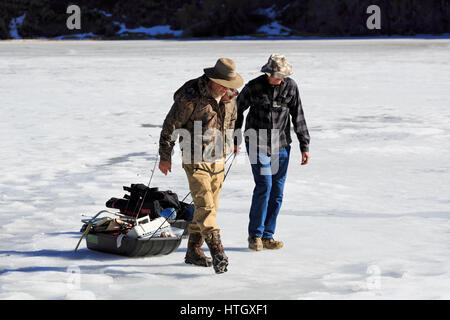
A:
{"x": 270, "y": 107}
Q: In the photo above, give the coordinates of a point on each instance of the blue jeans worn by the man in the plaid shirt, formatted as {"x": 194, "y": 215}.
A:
{"x": 268, "y": 193}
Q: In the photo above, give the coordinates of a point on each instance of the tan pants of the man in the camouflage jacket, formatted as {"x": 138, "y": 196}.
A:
{"x": 205, "y": 183}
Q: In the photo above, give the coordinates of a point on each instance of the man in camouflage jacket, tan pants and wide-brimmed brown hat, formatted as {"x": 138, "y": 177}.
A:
{"x": 204, "y": 111}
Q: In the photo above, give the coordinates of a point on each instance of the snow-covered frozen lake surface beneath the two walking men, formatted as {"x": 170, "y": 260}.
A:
{"x": 368, "y": 218}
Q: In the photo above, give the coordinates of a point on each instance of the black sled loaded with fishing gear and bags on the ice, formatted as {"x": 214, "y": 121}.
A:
{"x": 139, "y": 229}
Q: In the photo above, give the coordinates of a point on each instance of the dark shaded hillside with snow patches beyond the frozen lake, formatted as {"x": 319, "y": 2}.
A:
{"x": 149, "y": 19}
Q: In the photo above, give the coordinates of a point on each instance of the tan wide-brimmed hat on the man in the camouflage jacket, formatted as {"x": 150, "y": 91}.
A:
{"x": 224, "y": 73}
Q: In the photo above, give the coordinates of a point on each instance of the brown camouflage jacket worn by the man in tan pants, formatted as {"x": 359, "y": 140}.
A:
{"x": 195, "y": 107}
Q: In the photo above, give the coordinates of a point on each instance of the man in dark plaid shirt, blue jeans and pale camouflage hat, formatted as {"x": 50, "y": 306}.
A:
{"x": 273, "y": 99}
